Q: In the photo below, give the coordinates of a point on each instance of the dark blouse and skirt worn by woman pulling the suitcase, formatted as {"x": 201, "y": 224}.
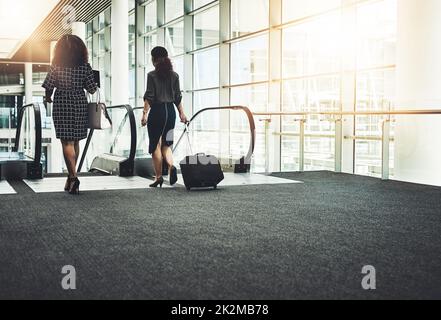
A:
{"x": 162, "y": 95}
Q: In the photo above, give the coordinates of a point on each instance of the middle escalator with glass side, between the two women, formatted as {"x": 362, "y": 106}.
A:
{"x": 112, "y": 151}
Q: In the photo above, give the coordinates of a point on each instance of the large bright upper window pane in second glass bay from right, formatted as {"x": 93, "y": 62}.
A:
{"x": 312, "y": 47}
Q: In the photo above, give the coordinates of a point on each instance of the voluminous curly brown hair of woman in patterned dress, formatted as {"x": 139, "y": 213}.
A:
{"x": 70, "y": 51}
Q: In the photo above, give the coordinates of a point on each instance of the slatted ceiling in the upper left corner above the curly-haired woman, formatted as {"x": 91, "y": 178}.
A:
{"x": 36, "y": 47}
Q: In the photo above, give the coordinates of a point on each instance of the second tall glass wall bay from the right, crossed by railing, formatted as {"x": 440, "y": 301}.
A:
{"x": 311, "y": 70}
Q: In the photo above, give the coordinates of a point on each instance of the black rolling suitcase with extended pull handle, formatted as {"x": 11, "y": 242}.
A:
{"x": 200, "y": 170}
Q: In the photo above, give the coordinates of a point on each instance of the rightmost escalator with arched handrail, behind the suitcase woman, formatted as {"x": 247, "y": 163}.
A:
{"x": 144, "y": 163}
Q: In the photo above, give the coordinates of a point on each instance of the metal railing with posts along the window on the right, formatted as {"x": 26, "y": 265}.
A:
{"x": 337, "y": 118}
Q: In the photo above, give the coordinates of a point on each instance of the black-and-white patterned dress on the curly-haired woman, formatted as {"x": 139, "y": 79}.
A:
{"x": 70, "y": 112}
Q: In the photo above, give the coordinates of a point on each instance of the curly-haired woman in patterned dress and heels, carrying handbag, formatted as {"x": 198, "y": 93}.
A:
{"x": 70, "y": 74}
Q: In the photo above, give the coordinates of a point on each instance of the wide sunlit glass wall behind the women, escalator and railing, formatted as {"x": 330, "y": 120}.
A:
{"x": 317, "y": 45}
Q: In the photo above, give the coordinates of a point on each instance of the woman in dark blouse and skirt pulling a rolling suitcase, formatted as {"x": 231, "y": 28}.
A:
{"x": 162, "y": 94}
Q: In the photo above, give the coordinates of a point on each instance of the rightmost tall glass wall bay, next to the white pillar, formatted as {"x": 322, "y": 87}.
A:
{"x": 375, "y": 79}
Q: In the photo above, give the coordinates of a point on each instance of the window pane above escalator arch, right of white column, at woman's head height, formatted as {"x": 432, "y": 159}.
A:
{"x": 203, "y": 61}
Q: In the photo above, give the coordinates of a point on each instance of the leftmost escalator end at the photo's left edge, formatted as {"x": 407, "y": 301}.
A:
{"x": 23, "y": 158}
